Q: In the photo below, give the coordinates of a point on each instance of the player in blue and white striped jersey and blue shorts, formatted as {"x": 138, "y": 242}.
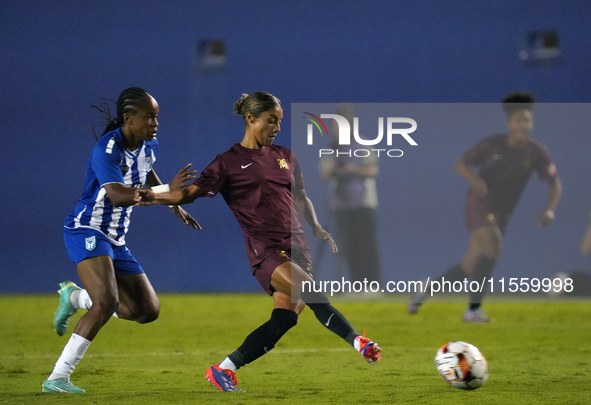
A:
{"x": 94, "y": 233}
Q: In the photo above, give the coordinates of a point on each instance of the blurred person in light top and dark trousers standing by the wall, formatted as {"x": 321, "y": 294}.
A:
{"x": 353, "y": 201}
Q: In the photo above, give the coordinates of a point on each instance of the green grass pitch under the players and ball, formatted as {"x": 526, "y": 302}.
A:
{"x": 537, "y": 353}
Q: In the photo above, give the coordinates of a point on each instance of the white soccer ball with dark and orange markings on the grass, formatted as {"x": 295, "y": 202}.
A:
{"x": 461, "y": 365}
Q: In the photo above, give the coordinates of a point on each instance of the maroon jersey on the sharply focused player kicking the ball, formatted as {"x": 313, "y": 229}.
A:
{"x": 257, "y": 186}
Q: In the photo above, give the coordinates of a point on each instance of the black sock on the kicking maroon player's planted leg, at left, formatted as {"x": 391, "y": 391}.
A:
{"x": 263, "y": 339}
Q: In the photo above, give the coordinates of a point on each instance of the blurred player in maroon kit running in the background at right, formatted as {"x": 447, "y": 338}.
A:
{"x": 506, "y": 163}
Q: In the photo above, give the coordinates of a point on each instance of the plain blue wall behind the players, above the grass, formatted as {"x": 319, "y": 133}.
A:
{"x": 56, "y": 59}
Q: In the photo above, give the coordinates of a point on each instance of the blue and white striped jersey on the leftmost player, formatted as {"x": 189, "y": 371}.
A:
{"x": 110, "y": 162}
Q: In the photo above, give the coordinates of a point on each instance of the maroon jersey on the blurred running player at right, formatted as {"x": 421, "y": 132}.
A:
{"x": 506, "y": 170}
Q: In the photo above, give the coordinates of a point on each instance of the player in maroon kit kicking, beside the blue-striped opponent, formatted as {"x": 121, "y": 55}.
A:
{"x": 260, "y": 182}
